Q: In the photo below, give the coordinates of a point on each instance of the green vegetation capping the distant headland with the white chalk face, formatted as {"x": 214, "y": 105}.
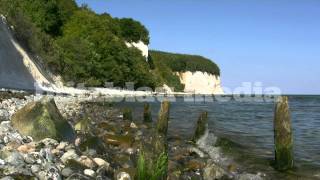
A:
{"x": 166, "y": 65}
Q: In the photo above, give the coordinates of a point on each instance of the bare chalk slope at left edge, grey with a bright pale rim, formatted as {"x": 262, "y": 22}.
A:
{"x": 17, "y": 70}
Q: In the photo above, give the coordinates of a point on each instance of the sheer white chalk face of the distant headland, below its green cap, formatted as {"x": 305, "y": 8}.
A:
{"x": 201, "y": 82}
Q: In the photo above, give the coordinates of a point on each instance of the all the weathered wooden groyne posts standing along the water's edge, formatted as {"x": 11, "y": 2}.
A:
{"x": 153, "y": 162}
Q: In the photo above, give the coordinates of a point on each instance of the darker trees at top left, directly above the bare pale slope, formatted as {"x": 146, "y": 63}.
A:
{"x": 36, "y": 23}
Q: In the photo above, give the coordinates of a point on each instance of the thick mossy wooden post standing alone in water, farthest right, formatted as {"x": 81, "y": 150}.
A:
{"x": 283, "y": 135}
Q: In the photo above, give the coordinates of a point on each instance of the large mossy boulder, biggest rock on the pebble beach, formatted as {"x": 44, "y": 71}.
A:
{"x": 41, "y": 120}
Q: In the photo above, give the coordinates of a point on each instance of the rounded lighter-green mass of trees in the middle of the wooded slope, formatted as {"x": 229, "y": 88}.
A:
{"x": 101, "y": 55}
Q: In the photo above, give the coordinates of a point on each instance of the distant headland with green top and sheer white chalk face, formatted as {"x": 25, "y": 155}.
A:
{"x": 186, "y": 73}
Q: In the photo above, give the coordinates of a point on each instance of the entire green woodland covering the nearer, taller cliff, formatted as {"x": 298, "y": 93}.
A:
{"x": 78, "y": 44}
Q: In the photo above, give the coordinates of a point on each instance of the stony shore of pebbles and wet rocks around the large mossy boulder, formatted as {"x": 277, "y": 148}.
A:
{"x": 106, "y": 146}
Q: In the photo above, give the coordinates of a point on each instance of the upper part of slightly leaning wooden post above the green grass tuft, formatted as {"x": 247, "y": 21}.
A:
{"x": 162, "y": 124}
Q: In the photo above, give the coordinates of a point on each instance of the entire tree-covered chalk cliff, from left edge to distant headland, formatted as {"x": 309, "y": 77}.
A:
{"x": 70, "y": 50}
